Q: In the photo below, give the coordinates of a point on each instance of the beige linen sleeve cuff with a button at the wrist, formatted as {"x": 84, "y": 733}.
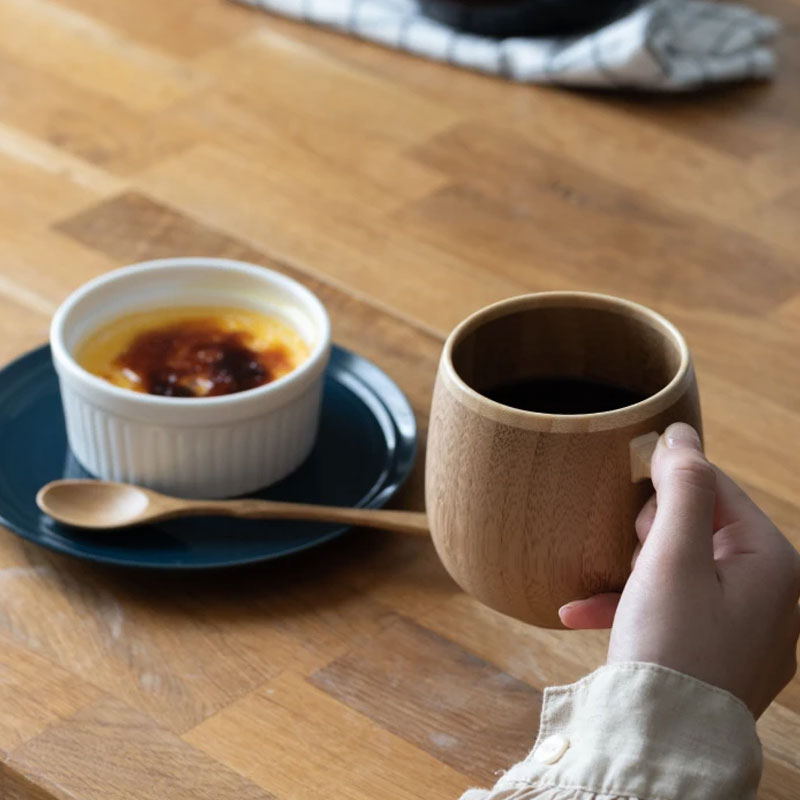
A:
{"x": 637, "y": 731}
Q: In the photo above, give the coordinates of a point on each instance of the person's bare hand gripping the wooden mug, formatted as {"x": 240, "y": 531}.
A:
{"x": 714, "y": 587}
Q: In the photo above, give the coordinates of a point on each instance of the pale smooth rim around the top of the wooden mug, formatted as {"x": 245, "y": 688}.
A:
{"x": 566, "y": 423}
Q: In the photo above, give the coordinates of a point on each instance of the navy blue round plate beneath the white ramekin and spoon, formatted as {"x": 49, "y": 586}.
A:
{"x": 364, "y": 452}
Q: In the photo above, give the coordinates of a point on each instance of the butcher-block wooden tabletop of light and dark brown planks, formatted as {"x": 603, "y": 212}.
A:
{"x": 406, "y": 194}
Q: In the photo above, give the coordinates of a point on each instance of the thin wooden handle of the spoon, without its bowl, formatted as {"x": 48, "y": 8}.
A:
{"x": 389, "y": 520}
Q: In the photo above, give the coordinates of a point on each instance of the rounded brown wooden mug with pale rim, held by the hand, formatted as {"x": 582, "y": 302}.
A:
{"x": 529, "y": 510}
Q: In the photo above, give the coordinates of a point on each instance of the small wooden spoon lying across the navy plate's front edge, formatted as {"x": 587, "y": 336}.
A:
{"x": 104, "y": 504}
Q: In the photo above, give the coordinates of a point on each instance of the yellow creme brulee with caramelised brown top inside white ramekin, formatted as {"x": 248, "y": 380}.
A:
{"x": 196, "y": 351}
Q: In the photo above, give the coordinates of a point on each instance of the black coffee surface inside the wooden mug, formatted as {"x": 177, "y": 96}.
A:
{"x": 563, "y": 395}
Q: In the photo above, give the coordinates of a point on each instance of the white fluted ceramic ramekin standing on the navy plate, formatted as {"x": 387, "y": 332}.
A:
{"x": 191, "y": 447}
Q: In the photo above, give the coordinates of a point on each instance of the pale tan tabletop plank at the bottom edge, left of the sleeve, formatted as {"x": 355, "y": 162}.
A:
{"x": 312, "y": 746}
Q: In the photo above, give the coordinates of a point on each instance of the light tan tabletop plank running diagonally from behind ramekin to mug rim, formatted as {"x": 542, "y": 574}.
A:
{"x": 422, "y": 283}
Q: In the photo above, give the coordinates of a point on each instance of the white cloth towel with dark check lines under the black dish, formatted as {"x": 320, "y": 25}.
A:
{"x": 667, "y": 45}
